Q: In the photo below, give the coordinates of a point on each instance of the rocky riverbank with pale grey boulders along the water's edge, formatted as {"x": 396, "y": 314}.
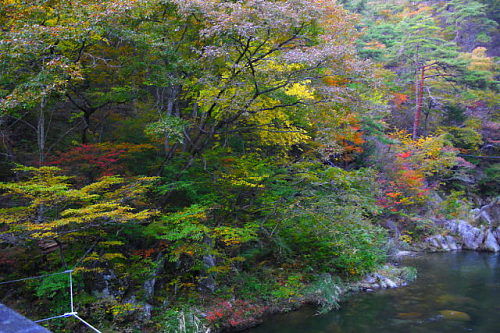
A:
{"x": 479, "y": 232}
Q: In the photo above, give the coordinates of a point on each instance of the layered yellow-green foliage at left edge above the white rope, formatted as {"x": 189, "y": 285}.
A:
{"x": 49, "y": 205}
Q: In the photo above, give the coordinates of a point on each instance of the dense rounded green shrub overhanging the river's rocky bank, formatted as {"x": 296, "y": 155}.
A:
{"x": 327, "y": 223}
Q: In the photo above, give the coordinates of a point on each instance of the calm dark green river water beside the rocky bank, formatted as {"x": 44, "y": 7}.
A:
{"x": 454, "y": 292}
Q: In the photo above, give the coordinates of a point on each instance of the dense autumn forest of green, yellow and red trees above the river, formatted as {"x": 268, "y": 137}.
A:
{"x": 200, "y": 164}
